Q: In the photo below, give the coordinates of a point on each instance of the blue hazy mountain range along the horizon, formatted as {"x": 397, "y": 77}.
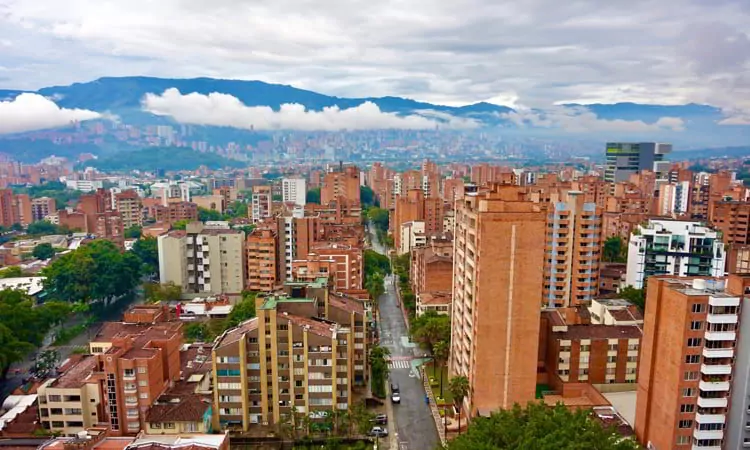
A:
{"x": 690, "y": 125}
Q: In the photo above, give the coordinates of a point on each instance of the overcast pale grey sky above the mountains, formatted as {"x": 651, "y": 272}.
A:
{"x": 533, "y": 52}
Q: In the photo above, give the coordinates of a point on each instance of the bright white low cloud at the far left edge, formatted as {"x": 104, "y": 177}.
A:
{"x": 29, "y": 112}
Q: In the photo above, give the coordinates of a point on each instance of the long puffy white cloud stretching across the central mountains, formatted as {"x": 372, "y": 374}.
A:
{"x": 219, "y": 109}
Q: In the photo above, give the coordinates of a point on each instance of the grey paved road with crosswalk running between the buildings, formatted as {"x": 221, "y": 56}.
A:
{"x": 414, "y": 424}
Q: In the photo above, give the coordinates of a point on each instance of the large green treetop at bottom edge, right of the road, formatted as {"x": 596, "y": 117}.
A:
{"x": 540, "y": 427}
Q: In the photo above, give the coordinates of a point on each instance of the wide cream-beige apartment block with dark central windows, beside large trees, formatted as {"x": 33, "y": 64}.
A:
{"x": 203, "y": 260}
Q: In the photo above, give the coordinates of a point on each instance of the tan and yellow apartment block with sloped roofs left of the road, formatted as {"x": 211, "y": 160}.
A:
{"x": 282, "y": 362}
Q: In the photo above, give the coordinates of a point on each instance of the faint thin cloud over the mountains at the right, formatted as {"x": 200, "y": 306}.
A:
{"x": 583, "y": 120}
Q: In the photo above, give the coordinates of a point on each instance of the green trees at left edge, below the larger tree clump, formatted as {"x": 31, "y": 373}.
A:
{"x": 23, "y": 325}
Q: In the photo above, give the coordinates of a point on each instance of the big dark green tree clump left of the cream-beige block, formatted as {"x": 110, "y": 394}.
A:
{"x": 95, "y": 271}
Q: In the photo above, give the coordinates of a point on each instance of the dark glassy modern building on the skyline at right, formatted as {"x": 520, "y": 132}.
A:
{"x": 627, "y": 158}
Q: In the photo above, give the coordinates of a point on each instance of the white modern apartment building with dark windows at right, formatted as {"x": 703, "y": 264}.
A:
{"x": 673, "y": 247}
